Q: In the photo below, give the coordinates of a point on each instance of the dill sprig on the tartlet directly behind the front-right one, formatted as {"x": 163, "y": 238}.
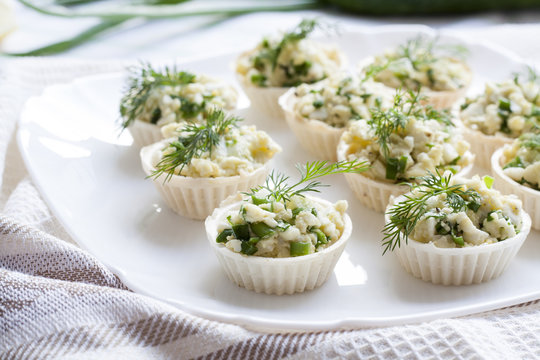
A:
{"x": 406, "y": 104}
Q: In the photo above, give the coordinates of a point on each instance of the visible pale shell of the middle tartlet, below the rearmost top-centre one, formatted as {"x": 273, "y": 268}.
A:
{"x": 317, "y": 137}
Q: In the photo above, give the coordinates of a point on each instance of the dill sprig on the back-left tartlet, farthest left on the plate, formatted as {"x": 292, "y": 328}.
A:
{"x": 142, "y": 81}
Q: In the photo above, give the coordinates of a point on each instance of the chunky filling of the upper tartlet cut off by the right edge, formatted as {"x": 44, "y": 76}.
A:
{"x": 509, "y": 108}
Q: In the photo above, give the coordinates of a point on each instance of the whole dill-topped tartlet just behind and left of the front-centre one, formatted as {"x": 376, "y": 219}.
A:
{"x": 203, "y": 163}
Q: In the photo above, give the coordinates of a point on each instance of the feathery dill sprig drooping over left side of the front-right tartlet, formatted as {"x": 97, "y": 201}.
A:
{"x": 405, "y": 215}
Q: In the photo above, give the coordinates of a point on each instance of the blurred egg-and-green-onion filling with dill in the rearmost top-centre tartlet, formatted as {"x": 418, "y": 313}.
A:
{"x": 289, "y": 60}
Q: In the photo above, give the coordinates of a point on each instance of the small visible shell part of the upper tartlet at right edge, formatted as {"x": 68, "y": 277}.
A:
{"x": 483, "y": 146}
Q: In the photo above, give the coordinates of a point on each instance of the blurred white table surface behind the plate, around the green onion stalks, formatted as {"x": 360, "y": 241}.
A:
{"x": 184, "y": 38}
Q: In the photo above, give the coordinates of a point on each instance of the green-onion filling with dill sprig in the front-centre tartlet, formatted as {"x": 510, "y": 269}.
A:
{"x": 277, "y": 219}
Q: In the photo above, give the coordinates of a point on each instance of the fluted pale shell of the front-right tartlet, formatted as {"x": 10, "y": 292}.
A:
{"x": 459, "y": 266}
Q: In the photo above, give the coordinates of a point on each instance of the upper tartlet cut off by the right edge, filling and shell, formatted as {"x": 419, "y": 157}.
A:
{"x": 503, "y": 112}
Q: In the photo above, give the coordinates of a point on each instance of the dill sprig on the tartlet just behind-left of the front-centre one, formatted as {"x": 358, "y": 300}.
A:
{"x": 195, "y": 140}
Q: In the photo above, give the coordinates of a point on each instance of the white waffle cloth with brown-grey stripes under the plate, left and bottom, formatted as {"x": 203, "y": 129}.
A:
{"x": 57, "y": 301}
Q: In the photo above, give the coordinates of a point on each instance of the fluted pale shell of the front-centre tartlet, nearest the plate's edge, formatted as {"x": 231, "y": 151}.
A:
{"x": 276, "y": 275}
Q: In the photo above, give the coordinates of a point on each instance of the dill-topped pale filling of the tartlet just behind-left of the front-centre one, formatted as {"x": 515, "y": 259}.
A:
{"x": 216, "y": 148}
